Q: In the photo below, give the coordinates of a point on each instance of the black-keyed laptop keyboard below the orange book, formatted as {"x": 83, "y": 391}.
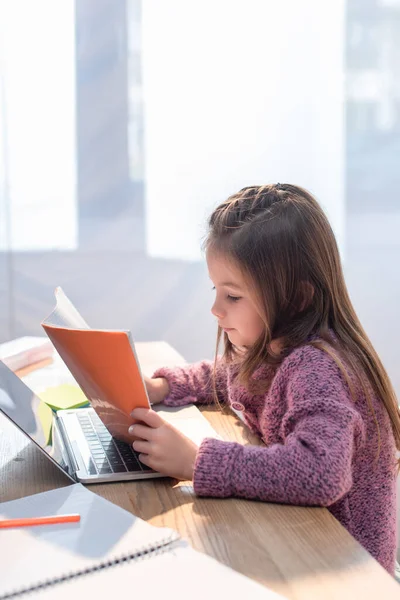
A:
{"x": 109, "y": 455}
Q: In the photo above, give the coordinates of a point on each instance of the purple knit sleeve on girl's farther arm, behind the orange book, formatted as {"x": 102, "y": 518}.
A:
{"x": 195, "y": 383}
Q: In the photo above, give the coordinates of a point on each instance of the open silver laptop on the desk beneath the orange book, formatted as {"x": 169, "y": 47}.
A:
{"x": 80, "y": 445}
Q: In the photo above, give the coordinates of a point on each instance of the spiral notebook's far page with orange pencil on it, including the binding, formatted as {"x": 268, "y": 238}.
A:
{"x": 37, "y": 558}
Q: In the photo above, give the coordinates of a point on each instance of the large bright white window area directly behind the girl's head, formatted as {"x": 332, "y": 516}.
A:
{"x": 239, "y": 92}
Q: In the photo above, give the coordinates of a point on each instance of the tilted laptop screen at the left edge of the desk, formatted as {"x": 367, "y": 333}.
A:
{"x": 29, "y": 413}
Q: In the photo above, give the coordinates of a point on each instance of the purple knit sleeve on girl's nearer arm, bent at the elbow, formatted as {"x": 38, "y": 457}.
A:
{"x": 312, "y": 465}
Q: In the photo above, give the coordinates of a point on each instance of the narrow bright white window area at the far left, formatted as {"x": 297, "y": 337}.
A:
{"x": 37, "y": 124}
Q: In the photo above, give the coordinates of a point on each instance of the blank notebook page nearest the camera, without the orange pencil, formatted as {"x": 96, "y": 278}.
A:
{"x": 179, "y": 574}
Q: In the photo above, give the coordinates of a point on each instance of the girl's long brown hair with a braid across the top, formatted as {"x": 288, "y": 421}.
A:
{"x": 281, "y": 239}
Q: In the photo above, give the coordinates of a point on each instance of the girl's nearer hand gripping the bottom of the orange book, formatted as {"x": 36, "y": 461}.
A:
{"x": 162, "y": 447}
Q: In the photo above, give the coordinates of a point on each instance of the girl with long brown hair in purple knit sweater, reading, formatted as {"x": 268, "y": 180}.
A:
{"x": 297, "y": 367}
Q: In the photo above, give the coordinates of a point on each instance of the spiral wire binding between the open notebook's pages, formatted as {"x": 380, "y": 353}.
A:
{"x": 143, "y": 553}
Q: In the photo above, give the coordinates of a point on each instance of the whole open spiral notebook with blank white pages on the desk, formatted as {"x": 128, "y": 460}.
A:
{"x": 109, "y": 552}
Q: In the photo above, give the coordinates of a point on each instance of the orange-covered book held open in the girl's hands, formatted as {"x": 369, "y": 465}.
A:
{"x": 103, "y": 362}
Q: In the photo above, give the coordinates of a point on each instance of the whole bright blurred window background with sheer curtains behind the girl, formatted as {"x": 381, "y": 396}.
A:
{"x": 124, "y": 122}
